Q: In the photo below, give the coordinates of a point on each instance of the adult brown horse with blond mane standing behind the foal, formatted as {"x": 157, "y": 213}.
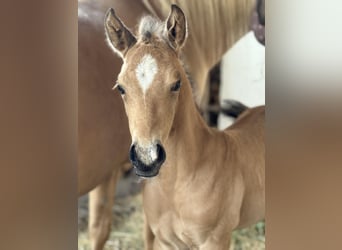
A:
{"x": 214, "y": 26}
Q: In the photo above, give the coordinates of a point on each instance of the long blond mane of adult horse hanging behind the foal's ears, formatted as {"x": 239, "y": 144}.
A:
{"x": 203, "y": 17}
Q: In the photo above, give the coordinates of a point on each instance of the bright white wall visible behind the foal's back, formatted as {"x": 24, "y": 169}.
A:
{"x": 243, "y": 75}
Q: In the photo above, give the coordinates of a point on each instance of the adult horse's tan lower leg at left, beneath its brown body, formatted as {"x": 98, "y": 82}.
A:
{"x": 100, "y": 210}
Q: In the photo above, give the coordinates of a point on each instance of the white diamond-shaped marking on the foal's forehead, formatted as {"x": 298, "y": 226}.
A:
{"x": 145, "y": 71}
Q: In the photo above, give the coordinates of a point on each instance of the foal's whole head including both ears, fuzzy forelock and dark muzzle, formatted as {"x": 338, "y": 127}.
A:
{"x": 149, "y": 82}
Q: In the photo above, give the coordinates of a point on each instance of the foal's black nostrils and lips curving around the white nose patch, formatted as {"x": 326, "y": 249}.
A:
{"x": 147, "y": 170}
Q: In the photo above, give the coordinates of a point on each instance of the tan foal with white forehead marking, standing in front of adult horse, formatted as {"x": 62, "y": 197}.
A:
{"x": 206, "y": 182}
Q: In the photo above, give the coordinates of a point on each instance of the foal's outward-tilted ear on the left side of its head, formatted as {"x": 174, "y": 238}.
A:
{"x": 118, "y": 35}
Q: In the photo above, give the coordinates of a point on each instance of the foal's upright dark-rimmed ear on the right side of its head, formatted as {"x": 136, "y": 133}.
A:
{"x": 176, "y": 28}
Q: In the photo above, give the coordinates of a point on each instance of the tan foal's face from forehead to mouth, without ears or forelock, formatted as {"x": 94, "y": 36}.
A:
{"x": 149, "y": 84}
